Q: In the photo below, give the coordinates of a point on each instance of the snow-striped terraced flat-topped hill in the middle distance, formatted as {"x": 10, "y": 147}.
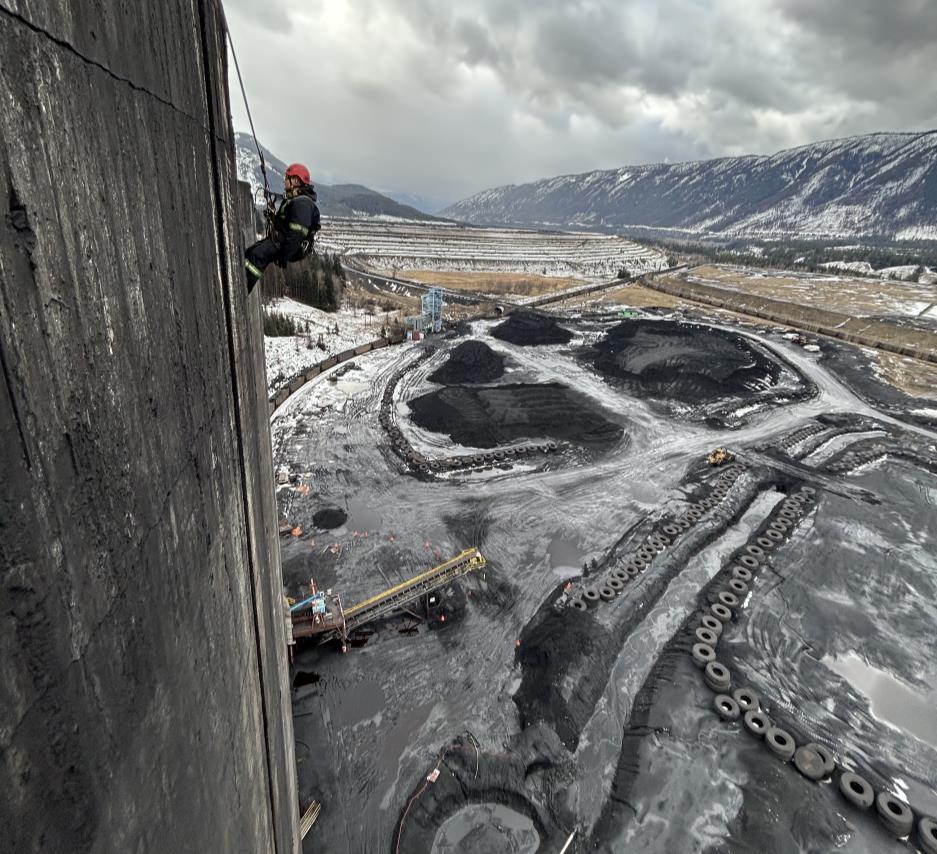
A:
{"x": 386, "y": 243}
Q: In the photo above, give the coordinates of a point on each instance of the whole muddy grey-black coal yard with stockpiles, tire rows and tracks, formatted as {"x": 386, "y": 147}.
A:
{"x": 653, "y": 651}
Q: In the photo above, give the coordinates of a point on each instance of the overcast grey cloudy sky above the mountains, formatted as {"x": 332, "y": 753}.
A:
{"x": 445, "y": 99}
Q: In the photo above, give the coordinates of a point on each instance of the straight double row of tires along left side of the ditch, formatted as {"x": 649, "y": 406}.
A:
{"x": 613, "y": 583}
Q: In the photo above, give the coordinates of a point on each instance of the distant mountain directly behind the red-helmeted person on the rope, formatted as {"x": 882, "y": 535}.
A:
{"x": 346, "y": 200}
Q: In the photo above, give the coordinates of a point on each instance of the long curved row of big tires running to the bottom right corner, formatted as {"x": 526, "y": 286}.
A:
{"x": 814, "y": 761}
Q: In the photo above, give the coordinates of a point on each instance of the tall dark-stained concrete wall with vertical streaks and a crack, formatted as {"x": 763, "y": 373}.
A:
{"x": 144, "y": 702}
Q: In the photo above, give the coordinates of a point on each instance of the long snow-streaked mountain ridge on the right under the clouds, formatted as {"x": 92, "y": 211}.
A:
{"x": 881, "y": 185}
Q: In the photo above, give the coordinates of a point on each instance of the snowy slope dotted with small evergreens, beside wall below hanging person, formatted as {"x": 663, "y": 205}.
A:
{"x": 337, "y": 331}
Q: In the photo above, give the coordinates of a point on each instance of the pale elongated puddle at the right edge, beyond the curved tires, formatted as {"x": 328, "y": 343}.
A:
{"x": 890, "y": 700}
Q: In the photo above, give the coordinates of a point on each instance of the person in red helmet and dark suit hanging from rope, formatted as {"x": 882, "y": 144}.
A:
{"x": 291, "y": 228}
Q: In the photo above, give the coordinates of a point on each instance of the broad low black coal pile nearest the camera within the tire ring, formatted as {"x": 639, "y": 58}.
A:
{"x": 488, "y": 417}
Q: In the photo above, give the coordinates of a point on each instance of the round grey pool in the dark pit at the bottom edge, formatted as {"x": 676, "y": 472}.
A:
{"x": 483, "y": 828}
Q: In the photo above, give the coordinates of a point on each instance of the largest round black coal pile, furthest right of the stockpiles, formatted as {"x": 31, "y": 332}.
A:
{"x": 689, "y": 364}
